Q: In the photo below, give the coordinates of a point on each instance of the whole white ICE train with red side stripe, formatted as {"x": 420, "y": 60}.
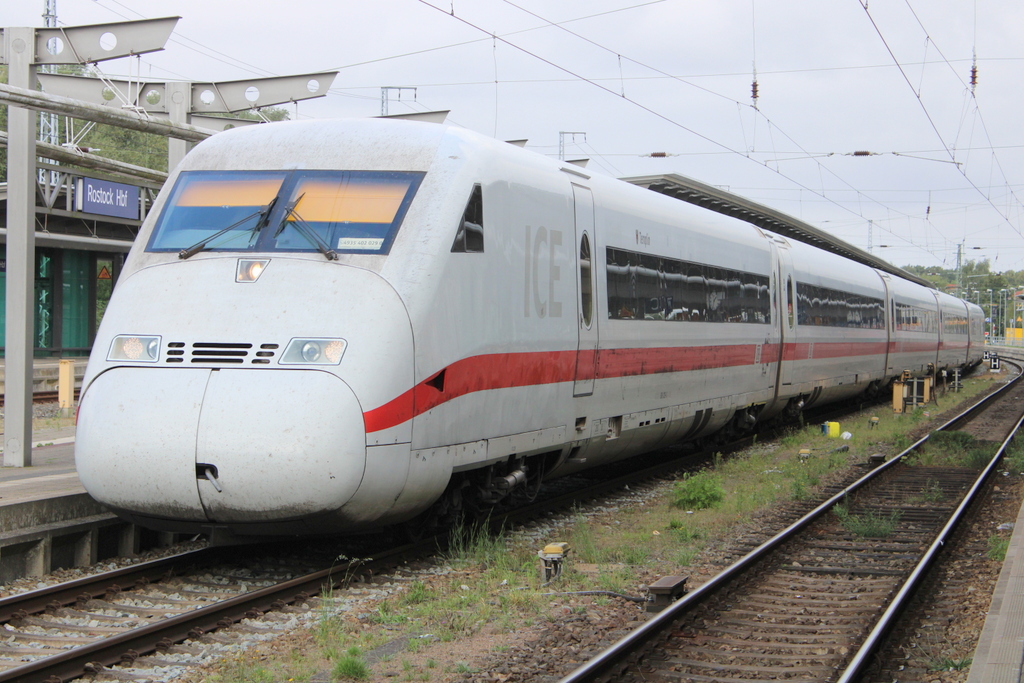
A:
{"x": 327, "y": 327}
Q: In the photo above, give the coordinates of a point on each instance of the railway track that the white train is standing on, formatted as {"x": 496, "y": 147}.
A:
{"x": 144, "y": 614}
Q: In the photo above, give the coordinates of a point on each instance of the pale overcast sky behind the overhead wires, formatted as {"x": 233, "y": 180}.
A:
{"x": 672, "y": 77}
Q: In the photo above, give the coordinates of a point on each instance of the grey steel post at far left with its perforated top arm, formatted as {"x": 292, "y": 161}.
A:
{"x": 25, "y": 49}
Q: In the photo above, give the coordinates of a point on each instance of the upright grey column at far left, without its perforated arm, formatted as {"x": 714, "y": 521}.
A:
{"x": 20, "y": 48}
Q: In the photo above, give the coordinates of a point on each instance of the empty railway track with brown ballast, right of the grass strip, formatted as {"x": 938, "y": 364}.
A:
{"x": 817, "y": 602}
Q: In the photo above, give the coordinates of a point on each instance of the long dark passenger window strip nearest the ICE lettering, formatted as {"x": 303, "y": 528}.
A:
{"x": 655, "y": 288}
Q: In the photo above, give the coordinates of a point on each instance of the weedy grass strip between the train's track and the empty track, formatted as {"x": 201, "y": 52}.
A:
{"x": 493, "y": 592}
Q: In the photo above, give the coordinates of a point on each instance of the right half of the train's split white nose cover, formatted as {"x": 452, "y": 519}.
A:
{"x": 285, "y": 445}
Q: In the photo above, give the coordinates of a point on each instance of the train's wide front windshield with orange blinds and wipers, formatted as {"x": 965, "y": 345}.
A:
{"x": 356, "y": 212}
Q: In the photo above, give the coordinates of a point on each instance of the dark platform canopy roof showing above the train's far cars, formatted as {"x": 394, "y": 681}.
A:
{"x": 712, "y": 198}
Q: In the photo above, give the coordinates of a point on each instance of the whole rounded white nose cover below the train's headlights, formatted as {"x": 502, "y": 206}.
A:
{"x": 236, "y": 447}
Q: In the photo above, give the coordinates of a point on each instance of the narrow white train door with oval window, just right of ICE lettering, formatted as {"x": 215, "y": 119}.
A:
{"x": 586, "y": 368}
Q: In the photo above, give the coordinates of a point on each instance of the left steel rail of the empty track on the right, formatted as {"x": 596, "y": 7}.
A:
{"x": 618, "y": 654}
